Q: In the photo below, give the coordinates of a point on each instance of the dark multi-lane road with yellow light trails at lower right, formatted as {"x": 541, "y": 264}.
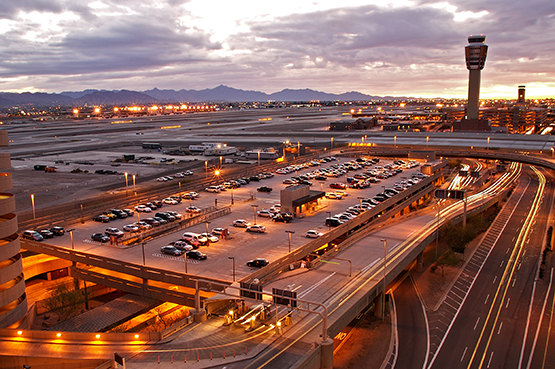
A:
{"x": 495, "y": 324}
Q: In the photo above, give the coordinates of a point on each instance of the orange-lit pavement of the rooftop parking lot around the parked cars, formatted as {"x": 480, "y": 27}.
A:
{"x": 243, "y": 246}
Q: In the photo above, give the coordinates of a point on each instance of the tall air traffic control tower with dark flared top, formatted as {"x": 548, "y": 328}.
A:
{"x": 475, "y": 52}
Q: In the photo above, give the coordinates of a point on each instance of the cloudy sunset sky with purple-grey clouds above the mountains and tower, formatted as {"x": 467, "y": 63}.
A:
{"x": 378, "y": 47}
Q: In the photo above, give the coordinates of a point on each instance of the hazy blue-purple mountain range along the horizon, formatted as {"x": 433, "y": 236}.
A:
{"x": 125, "y": 97}
